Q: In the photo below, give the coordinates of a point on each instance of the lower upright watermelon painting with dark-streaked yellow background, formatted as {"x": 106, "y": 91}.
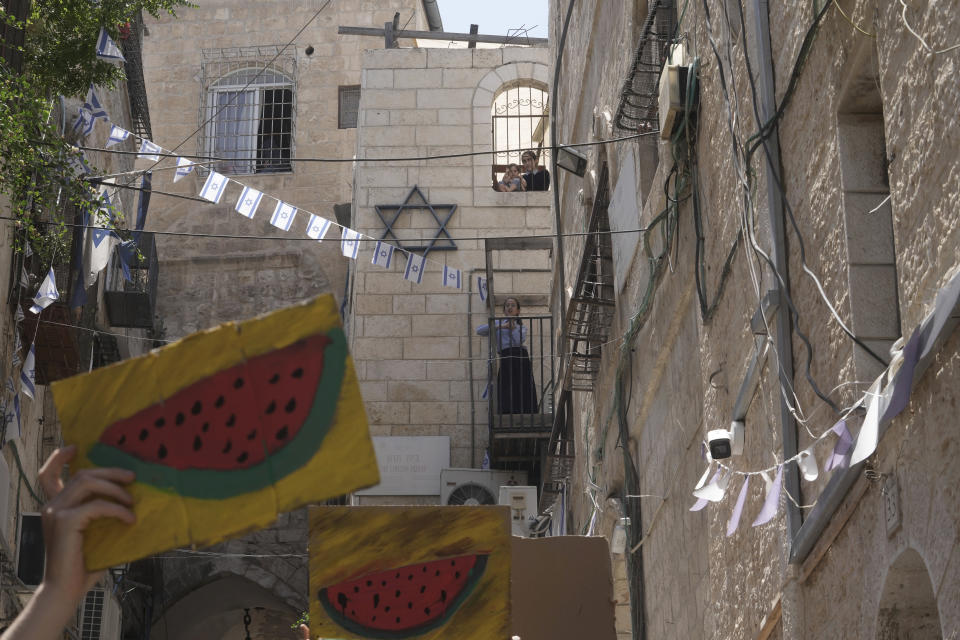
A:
{"x": 409, "y": 572}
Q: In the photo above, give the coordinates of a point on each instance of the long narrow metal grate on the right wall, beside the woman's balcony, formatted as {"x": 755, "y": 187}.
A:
{"x": 593, "y": 303}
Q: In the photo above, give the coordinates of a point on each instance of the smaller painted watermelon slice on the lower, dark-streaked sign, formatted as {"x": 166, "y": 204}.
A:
{"x": 403, "y": 602}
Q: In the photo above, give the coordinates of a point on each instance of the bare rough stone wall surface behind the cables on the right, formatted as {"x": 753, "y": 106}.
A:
{"x": 684, "y": 372}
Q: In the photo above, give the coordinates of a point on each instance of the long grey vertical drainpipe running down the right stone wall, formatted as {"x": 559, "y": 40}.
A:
{"x": 783, "y": 340}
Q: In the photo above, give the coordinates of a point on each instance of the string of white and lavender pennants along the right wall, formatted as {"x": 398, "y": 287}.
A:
{"x": 885, "y": 399}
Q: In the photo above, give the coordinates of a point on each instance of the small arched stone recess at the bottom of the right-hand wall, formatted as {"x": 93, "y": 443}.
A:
{"x": 908, "y": 606}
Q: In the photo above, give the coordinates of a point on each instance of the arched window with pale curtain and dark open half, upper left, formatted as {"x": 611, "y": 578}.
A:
{"x": 249, "y": 121}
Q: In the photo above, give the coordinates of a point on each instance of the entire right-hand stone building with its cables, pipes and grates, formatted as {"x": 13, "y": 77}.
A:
{"x": 850, "y": 191}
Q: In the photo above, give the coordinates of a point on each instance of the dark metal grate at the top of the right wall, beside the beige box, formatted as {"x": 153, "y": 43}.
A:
{"x": 639, "y": 97}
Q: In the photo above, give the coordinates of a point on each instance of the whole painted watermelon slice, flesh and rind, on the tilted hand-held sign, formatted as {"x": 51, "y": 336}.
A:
{"x": 238, "y": 430}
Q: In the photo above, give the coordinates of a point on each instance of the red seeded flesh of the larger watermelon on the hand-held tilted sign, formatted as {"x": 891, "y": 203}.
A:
{"x": 231, "y": 420}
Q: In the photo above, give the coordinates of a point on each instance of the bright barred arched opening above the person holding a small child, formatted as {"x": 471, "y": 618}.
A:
{"x": 521, "y": 121}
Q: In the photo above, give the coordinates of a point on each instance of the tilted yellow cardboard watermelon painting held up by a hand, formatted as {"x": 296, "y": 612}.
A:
{"x": 225, "y": 429}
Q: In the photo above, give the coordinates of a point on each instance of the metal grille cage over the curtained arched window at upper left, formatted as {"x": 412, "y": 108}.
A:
{"x": 248, "y": 109}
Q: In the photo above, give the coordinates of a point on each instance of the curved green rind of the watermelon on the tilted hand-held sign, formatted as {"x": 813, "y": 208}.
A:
{"x": 214, "y": 484}
